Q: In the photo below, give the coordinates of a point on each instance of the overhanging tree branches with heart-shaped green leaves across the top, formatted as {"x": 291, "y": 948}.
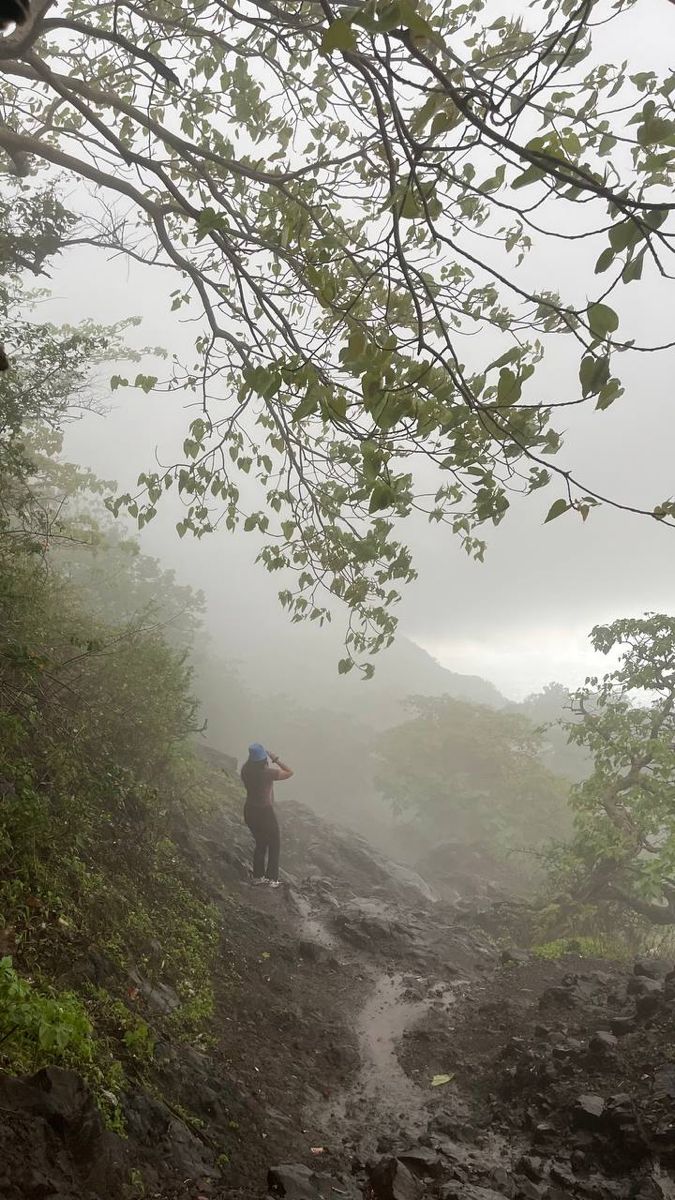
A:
{"x": 347, "y": 194}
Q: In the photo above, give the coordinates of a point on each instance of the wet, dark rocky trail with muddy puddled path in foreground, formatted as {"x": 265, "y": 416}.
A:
{"x": 373, "y": 1040}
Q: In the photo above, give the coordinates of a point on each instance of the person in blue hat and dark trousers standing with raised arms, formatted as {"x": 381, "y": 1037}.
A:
{"x": 260, "y": 773}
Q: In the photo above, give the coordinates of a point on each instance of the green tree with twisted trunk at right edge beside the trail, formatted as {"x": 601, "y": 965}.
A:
{"x": 624, "y": 850}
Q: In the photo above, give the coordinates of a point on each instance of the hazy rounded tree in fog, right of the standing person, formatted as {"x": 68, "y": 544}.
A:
{"x": 471, "y": 775}
